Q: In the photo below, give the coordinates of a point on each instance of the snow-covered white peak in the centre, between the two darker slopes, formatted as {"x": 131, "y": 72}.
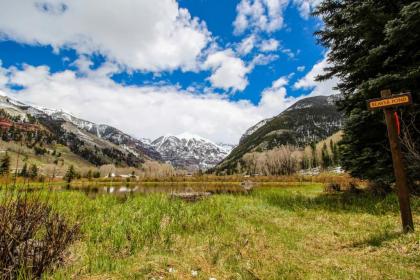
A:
{"x": 190, "y": 151}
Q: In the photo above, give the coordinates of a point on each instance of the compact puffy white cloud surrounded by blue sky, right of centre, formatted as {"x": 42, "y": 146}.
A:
{"x": 229, "y": 71}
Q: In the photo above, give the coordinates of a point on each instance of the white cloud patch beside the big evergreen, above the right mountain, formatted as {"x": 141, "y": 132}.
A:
{"x": 318, "y": 88}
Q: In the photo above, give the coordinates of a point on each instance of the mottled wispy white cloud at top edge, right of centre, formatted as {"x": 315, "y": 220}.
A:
{"x": 261, "y": 15}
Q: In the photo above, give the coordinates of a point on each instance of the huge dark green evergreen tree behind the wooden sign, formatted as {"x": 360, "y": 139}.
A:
{"x": 373, "y": 45}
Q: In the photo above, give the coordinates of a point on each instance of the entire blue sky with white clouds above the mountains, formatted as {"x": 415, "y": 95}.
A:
{"x": 158, "y": 67}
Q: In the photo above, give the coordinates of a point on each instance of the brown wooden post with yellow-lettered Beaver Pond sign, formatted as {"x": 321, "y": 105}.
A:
{"x": 387, "y": 102}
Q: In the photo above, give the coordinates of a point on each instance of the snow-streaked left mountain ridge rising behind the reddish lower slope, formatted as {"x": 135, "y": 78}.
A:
{"x": 88, "y": 135}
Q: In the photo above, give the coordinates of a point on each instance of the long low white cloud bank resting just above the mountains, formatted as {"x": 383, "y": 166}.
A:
{"x": 143, "y": 111}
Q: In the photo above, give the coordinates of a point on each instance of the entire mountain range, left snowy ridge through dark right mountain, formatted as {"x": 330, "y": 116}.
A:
{"x": 308, "y": 120}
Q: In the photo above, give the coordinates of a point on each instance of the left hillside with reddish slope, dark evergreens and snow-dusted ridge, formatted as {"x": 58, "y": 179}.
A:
{"x": 41, "y": 131}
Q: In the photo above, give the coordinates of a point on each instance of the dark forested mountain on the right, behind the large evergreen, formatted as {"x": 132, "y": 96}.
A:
{"x": 307, "y": 121}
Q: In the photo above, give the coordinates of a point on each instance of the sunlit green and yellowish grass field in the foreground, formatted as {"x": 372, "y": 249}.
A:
{"x": 274, "y": 233}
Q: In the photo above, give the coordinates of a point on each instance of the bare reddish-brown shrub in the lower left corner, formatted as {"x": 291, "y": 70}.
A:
{"x": 33, "y": 237}
